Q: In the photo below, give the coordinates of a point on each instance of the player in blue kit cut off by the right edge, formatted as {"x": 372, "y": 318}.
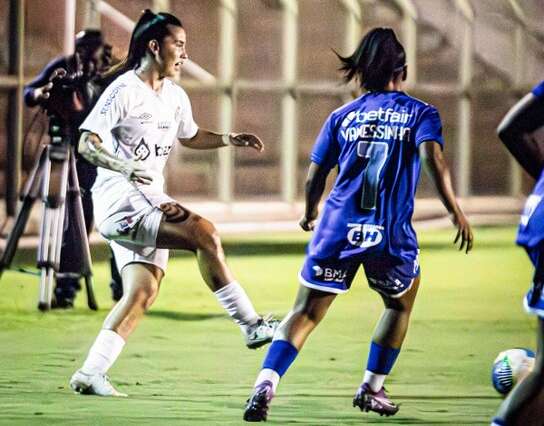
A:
{"x": 517, "y": 132}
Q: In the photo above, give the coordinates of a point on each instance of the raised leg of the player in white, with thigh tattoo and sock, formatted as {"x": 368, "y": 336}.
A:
{"x": 185, "y": 230}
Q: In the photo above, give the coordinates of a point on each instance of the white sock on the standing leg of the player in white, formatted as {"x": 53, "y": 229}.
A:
{"x": 103, "y": 353}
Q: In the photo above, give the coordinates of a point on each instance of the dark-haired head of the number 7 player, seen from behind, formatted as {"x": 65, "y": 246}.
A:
{"x": 379, "y": 58}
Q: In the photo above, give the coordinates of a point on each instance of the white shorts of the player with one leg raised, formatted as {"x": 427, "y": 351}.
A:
{"x": 133, "y": 227}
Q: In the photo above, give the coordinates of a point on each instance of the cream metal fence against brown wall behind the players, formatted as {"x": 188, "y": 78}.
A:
{"x": 267, "y": 66}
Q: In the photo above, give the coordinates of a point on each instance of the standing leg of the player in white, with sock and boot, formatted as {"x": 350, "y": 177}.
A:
{"x": 142, "y": 282}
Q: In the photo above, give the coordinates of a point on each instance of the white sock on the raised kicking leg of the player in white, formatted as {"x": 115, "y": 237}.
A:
{"x": 234, "y": 300}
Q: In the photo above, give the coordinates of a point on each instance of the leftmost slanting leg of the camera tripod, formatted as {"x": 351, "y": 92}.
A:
{"x": 29, "y": 196}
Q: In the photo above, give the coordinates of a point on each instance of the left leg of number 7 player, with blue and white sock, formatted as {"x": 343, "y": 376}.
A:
{"x": 309, "y": 309}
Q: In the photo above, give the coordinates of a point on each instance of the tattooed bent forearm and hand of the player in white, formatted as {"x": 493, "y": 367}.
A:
{"x": 92, "y": 149}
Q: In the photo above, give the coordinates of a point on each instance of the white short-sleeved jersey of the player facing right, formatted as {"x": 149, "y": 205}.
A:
{"x": 133, "y": 120}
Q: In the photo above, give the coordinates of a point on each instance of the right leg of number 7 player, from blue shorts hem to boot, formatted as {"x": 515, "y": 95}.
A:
{"x": 398, "y": 290}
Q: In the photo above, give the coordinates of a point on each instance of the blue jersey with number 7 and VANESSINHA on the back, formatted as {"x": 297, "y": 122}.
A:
{"x": 374, "y": 142}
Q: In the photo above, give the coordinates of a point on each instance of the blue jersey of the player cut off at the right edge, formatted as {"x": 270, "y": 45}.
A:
{"x": 531, "y": 227}
